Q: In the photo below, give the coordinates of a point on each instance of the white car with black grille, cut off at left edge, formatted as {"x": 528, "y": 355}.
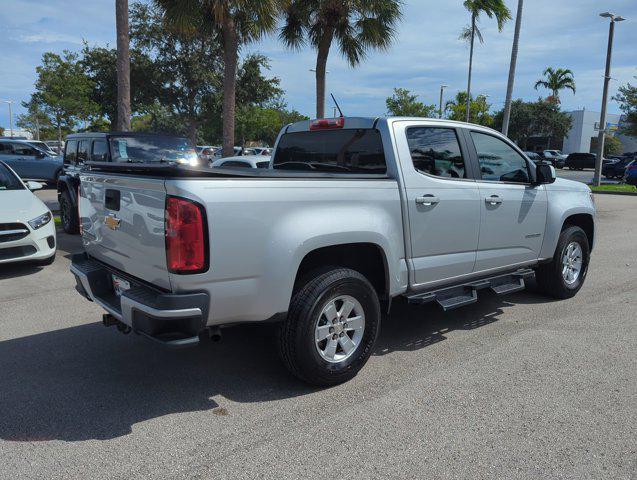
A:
{"x": 27, "y": 229}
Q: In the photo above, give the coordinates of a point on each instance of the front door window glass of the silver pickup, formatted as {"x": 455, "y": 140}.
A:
{"x": 498, "y": 161}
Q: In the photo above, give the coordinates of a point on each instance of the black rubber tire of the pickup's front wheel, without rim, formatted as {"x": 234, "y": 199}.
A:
{"x": 549, "y": 275}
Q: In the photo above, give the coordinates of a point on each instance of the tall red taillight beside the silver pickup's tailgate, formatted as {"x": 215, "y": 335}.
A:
{"x": 186, "y": 246}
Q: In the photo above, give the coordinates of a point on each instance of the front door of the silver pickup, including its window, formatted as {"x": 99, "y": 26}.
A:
{"x": 513, "y": 211}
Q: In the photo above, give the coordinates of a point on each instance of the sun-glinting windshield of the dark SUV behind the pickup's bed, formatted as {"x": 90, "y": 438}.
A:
{"x": 153, "y": 149}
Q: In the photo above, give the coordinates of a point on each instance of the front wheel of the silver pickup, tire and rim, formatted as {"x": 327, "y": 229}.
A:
{"x": 564, "y": 275}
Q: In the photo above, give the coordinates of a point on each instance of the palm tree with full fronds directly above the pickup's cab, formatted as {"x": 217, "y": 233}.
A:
{"x": 357, "y": 26}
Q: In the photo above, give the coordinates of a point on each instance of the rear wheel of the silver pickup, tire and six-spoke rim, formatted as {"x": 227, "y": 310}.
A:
{"x": 331, "y": 327}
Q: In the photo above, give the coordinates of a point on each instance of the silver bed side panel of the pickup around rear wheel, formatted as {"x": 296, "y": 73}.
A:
{"x": 261, "y": 229}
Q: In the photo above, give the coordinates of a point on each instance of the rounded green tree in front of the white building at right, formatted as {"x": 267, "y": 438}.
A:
{"x": 535, "y": 119}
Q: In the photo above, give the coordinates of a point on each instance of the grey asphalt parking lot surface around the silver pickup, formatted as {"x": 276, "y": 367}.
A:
{"x": 512, "y": 387}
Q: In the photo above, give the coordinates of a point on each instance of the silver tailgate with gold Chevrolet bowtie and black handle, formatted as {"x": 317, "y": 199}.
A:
{"x": 122, "y": 221}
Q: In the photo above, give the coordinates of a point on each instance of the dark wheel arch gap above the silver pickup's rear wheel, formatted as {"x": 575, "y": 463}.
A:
{"x": 369, "y": 259}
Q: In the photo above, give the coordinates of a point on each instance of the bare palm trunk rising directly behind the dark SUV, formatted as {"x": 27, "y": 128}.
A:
{"x": 123, "y": 66}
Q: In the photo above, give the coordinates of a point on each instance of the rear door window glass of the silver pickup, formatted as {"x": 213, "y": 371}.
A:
{"x": 436, "y": 151}
